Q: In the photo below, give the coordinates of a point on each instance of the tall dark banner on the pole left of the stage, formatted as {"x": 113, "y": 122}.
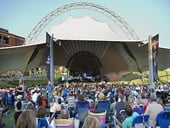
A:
{"x": 48, "y": 59}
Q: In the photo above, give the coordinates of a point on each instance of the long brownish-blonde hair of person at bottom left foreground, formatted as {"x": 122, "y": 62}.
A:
{"x": 26, "y": 119}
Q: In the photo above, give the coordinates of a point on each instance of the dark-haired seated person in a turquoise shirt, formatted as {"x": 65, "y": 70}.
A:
{"x": 127, "y": 123}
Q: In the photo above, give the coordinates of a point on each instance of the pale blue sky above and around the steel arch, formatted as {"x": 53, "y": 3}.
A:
{"x": 146, "y": 17}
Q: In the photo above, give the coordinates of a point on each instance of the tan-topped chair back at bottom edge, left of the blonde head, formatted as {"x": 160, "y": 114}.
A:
{"x": 64, "y": 123}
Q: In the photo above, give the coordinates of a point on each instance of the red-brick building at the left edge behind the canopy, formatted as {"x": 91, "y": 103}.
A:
{"x": 8, "y": 39}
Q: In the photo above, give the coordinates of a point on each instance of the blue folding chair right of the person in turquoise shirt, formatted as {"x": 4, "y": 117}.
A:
{"x": 141, "y": 121}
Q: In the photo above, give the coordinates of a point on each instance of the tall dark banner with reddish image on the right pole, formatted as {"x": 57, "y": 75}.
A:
{"x": 155, "y": 46}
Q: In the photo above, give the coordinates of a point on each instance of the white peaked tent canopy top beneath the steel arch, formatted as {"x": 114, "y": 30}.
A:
{"x": 85, "y": 28}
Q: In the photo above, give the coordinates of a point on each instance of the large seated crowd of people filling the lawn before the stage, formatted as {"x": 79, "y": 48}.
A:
{"x": 39, "y": 105}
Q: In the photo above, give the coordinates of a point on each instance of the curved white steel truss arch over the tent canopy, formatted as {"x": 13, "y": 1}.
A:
{"x": 123, "y": 25}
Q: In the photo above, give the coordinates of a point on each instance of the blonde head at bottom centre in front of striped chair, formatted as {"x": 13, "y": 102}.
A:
{"x": 91, "y": 122}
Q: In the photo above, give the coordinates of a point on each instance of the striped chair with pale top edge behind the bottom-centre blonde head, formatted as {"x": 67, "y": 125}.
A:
{"x": 100, "y": 116}
